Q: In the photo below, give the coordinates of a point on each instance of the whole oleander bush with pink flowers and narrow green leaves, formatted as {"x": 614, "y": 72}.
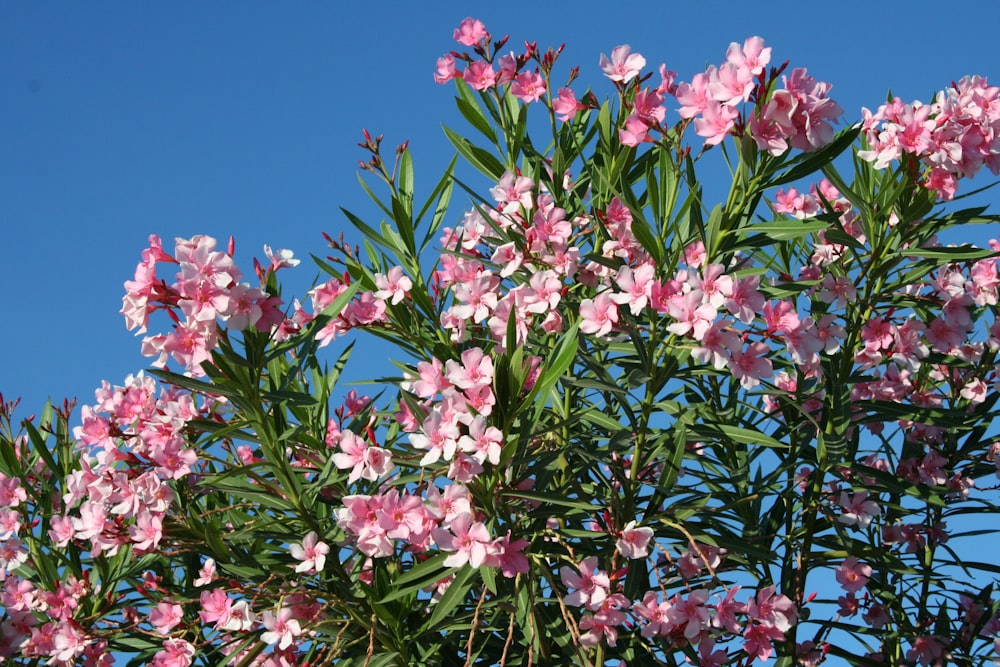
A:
{"x": 627, "y": 428}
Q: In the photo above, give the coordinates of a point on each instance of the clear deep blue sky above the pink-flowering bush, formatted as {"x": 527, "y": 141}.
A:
{"x": 120, "y": 120}
